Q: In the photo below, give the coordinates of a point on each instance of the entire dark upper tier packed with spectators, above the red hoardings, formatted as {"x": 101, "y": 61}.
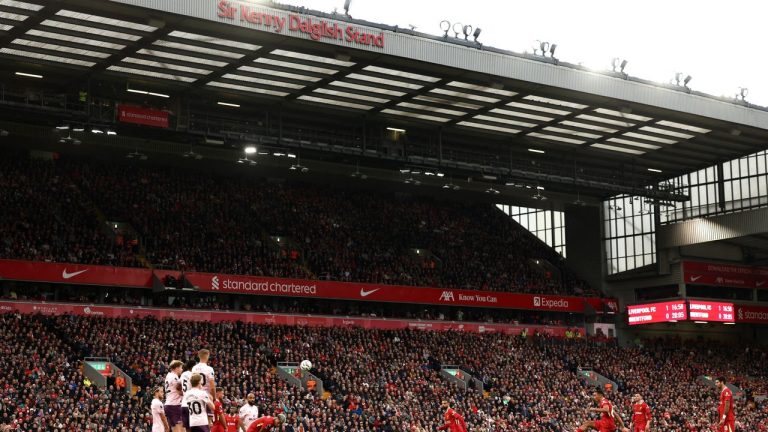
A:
{"x": 227, "y": 224}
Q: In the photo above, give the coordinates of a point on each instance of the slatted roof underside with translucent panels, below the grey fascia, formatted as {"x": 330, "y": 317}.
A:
{"x": 186, "y": 54}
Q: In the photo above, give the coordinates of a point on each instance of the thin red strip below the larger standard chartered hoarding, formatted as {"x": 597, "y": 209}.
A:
{"x": 276, "y": 319}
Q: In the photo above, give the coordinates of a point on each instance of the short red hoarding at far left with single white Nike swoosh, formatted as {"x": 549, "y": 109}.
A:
{"x": 79, "y": 274}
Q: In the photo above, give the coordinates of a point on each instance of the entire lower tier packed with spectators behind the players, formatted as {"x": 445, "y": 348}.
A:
{"x": 382, "y": 380}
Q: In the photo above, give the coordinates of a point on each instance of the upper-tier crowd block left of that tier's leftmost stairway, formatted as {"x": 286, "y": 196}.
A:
{"x": 45, "y": 217}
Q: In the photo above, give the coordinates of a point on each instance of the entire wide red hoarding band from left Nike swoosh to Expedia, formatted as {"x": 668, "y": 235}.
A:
{"x": 254, "y": 285}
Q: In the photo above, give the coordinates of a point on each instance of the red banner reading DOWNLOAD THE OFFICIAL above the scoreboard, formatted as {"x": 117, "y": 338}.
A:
{"x": 729, "y": 275}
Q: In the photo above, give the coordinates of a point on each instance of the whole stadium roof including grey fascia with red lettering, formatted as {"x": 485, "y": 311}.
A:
{"x": 267, "y": 54}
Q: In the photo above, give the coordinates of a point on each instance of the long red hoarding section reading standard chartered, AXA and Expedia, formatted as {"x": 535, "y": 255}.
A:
{"x": 257, "y": 285}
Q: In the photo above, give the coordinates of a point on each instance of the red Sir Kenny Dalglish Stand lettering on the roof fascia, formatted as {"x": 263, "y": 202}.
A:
{"x": 317, "y": 29}
